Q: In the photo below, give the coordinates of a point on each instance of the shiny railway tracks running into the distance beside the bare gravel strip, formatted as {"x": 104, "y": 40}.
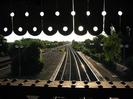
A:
{"x": 75, "y": 68}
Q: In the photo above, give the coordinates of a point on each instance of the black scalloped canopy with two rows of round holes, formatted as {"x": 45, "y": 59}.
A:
{"x": 49, "y": 7}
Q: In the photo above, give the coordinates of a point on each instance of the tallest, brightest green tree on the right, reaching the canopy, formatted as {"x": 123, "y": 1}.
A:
{"x": 111, "y": 48}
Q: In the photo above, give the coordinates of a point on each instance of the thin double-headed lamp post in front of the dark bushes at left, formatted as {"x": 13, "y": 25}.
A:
{"x": 19, "y": 47}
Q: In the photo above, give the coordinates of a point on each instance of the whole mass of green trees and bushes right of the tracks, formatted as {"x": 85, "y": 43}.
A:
{"x": 106, "y": 50}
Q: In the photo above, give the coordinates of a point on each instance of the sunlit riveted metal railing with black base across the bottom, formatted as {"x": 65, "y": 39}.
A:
{"x": 42, "y": 89}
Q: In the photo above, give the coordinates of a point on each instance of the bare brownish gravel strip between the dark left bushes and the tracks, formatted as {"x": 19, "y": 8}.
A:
{"x": 51, "y": 60}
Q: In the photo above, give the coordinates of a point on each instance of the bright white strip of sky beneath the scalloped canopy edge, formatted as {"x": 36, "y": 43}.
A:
{"x": 57, "y": 37}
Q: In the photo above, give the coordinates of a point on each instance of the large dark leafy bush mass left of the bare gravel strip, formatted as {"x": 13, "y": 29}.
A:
{"x": 28, "y": 57}
